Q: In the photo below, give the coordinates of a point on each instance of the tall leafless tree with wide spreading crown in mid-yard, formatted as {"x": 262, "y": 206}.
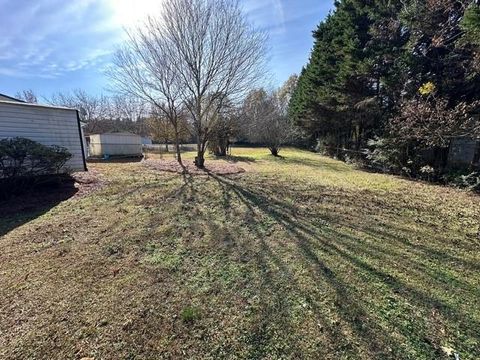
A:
{"x": 213, "y": 54}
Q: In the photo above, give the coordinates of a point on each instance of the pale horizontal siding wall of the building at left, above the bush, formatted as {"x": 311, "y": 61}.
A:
{"x": 46, "y": 125}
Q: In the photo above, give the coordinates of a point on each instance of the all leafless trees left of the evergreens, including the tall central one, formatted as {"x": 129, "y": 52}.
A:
{"x": 197, "y": 72}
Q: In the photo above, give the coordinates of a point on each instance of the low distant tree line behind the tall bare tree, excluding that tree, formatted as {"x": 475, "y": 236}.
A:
{"x": 260, "y": 118}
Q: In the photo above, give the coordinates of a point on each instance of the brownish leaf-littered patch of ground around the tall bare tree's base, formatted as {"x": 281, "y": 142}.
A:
{"x": 215, "y": 168}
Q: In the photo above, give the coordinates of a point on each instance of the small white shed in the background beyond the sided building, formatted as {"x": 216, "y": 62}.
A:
{"x": 115, "y": 144}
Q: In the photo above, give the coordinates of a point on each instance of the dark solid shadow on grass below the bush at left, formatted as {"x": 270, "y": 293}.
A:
{"x": 26, "y": 207}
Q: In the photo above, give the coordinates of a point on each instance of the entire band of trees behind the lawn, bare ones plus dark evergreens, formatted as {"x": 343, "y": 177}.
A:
{"x": 395, "y": 85}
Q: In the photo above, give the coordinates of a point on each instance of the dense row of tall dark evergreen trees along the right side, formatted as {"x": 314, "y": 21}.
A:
{"x": 392, "y": 81}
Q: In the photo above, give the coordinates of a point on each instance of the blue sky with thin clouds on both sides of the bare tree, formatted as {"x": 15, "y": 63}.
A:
{"x": 58, "y": 45}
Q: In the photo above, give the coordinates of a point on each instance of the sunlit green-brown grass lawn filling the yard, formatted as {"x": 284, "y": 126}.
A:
{"x": 299, "y": 257}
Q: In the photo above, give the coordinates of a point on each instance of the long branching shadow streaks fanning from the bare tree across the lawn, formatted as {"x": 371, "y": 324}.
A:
{"x": 317, "y": 245}
